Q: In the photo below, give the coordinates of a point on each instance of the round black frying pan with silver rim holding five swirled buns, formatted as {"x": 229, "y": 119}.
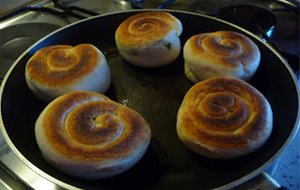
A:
{"x": 156, "y": 94}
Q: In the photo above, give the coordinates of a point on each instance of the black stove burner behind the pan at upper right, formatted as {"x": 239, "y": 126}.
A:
{"x": 269, "y": 25}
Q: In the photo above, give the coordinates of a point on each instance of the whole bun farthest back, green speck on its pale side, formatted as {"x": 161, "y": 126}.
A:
{"x": 149, "y": 39}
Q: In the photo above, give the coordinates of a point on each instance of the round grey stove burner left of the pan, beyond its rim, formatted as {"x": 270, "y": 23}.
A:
{"x": 17, "y": 38}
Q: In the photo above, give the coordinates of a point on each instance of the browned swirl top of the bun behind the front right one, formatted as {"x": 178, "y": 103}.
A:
{"x": 224, "y": 47}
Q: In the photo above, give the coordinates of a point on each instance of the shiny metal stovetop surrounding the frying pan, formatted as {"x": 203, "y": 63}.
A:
{"x": 285, "y": 38}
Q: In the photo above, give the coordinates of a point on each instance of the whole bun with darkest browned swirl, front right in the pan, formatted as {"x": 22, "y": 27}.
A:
{"x": 224, "y": 118}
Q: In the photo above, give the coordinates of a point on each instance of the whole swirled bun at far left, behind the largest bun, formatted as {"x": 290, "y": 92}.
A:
{"x": 59, "y": 69}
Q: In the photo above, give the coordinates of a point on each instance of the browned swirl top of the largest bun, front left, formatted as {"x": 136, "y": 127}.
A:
{"x": 86, "y": 126}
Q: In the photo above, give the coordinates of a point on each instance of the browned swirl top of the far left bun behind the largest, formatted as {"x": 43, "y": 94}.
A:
{"x": 62, "y": 65}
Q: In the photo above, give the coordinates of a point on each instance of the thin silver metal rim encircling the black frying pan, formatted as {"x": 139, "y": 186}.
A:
{"x": 56, "y": 181}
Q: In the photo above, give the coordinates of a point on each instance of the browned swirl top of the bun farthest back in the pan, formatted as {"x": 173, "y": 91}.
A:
{"x": 146, "y": 27}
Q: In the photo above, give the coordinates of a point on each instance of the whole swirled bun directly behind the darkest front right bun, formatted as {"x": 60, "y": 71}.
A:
{"x": 222, "y": 53}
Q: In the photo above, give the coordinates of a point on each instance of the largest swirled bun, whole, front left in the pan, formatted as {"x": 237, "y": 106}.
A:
{"x": 89, "y": 136}
